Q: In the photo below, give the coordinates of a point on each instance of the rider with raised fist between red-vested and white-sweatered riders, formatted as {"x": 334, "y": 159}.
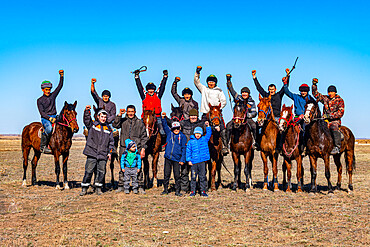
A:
{"x": 186, "y": 102}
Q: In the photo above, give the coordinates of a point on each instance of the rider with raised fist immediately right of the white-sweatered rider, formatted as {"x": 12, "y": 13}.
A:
{"x": 249, "y": 103}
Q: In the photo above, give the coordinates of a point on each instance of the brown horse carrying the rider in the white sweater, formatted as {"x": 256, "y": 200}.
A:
{"x": 215, "y": 146}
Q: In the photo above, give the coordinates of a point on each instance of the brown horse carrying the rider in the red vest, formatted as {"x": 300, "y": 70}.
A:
{"x": 153, "y": 146}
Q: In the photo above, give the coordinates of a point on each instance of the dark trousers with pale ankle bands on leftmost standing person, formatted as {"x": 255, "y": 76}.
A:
{"x": 90, "y": 166}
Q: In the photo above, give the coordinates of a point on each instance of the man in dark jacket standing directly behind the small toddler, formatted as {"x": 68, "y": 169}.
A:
{"x": 131, "y": 128}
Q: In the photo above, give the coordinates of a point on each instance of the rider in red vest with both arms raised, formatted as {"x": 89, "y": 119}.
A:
{"x": 151, "y": 97}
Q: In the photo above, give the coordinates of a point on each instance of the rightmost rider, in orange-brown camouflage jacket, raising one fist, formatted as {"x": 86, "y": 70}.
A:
{"x": 333, "y": 111}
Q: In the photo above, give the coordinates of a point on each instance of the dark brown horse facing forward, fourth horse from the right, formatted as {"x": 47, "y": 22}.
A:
{"x": 241, "y": 144}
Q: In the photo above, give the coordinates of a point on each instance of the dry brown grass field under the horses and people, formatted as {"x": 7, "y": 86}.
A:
{"x": 43, "y": 216}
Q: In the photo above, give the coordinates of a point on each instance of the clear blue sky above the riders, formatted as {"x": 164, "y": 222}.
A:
{"x": 108, "y": 39}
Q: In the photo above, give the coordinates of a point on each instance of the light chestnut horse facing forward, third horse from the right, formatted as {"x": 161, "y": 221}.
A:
{"x": 269, "y": 136}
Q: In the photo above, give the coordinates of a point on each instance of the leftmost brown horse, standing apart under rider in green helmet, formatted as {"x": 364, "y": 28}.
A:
{"x": 60, "y": 142}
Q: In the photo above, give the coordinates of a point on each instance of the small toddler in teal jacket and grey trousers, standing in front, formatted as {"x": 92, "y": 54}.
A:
{"x": 130, "y": 165}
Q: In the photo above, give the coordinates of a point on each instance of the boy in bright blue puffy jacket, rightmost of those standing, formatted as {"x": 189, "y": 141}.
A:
{"x": 197, "y": 153}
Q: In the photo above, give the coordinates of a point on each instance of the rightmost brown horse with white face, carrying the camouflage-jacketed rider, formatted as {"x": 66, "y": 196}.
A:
{"x": 320, "y": 144}
